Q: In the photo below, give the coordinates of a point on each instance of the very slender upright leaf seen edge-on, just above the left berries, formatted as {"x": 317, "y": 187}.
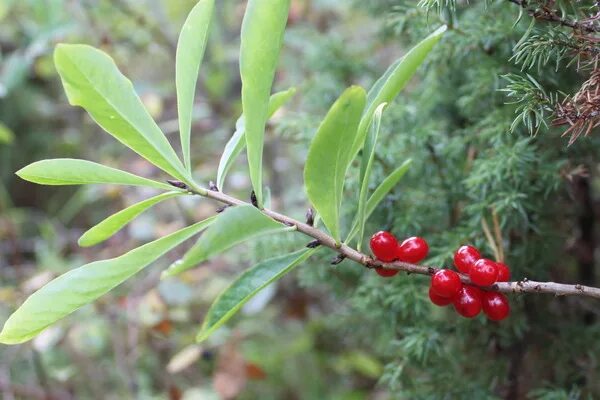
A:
{"x": 365, "y": 171}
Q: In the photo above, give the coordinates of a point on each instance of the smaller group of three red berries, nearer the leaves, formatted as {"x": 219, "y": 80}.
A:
{"x": 385, "y": 247}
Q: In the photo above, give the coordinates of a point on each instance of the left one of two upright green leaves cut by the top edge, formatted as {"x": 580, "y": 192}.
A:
{"x": 190, "y": 51}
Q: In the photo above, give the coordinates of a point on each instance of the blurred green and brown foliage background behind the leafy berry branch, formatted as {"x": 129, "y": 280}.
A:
{"x": 323, "y": 332}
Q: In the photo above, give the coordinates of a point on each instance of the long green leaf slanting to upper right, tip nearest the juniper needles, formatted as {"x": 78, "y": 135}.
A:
{"x": 393, "y": 81}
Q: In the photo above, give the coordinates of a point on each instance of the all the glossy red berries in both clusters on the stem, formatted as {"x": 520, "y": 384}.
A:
{"x": 446, "y": 287}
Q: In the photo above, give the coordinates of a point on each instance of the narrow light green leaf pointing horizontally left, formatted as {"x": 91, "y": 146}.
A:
{"x": 69, "y": 171}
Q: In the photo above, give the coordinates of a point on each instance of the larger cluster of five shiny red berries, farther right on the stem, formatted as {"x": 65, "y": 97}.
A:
{"x": 446, "y": 286}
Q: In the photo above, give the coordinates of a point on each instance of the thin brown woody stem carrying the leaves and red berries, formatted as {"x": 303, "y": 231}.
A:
{"x": 523, "y": 286}
